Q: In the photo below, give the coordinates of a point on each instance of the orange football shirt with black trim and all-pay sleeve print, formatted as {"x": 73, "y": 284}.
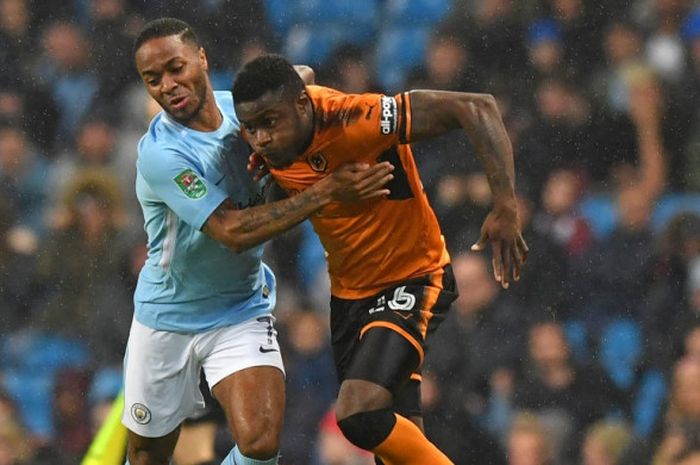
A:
{"x": 373, "y": 244}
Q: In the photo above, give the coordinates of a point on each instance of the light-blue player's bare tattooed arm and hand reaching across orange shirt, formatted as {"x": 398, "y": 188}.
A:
{"x": 241, "y": 229}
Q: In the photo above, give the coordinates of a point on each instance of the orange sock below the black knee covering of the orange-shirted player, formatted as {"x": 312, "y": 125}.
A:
{"x": 407, "y": 445}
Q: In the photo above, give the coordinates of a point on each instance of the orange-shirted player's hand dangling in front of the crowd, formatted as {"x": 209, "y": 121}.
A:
{"x": 502, "y": 229}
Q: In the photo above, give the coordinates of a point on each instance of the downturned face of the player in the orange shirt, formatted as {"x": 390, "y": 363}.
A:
{"x": 277, "y": 126}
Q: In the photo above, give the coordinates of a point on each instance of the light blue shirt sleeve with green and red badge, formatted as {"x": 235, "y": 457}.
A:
{"x": 181, "y": 185}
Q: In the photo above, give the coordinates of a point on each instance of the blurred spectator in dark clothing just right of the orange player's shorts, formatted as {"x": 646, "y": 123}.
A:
{"x": 478, "y": 343}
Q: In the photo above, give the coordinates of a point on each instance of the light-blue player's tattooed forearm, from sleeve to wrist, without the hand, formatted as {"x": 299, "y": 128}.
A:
{"x": 240, "y": 230}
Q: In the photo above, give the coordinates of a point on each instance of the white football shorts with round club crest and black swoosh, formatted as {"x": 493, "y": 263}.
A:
{"x": 162, "y": 369}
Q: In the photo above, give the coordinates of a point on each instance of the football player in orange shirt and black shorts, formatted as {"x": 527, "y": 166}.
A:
{"x": 391, "y": 282}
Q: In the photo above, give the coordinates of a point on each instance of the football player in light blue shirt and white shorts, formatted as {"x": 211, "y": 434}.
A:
{"x": 204, "y": 298}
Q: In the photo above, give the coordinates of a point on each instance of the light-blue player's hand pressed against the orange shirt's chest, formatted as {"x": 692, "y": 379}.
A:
{"x": 359, "y": 181}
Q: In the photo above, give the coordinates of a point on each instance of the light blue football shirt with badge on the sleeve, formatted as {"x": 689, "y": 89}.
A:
{"x": 191, "y": 282}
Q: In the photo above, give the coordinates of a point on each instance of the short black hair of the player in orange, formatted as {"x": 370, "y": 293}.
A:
{"x": 263, "y": 74}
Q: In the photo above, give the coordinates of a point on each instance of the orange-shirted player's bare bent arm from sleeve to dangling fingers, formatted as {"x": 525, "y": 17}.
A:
{"x": 437, "y": 112}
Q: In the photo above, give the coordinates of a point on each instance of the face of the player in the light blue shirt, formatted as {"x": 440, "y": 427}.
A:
{"x": 175, "y": 75}
